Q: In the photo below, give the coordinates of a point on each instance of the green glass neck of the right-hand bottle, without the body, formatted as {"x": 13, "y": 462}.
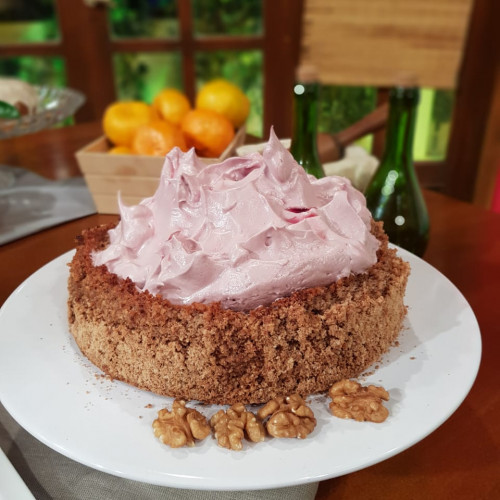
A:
{"x": 401, "y": 127}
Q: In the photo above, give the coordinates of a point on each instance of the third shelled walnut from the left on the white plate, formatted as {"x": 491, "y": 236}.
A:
{"x": 289, "y": 417}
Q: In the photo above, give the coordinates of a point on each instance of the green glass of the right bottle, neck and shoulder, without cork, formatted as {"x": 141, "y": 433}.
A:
{"x": 393, "y": 194}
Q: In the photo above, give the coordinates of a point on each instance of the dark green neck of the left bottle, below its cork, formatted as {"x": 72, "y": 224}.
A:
{"x": 305, "y": 119}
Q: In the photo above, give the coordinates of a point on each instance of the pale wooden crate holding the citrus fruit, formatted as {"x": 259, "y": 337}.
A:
{"x": 134, "y": 176}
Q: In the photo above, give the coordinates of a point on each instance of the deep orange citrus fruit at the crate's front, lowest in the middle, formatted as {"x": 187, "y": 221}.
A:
{"x": 158, "y": 138}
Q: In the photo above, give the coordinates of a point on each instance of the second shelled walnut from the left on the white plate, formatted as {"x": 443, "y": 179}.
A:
{"x": 231, "y": 426}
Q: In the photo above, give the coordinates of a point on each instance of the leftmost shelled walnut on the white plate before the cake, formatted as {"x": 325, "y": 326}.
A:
{"x": 181, "y": 426}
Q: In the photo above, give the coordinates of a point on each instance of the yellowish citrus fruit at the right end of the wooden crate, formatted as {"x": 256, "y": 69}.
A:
{"x": 225, "y": 98}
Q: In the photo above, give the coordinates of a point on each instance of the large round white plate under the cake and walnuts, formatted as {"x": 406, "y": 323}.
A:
{"x": 65, "y": 402}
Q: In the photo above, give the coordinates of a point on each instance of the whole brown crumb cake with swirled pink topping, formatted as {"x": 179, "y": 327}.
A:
{"x": 237, "y": 282}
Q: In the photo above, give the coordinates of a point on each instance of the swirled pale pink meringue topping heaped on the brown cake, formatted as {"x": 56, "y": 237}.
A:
{"x": 243, "y": 232}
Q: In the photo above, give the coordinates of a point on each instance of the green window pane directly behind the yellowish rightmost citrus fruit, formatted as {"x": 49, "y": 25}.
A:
{"x": 243, "y": 68}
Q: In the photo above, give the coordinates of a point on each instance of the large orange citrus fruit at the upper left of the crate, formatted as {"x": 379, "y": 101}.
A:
{"x": 121, "y": 120}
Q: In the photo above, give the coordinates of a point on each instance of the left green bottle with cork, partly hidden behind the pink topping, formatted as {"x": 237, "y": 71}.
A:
{"x": 304, "y": 147}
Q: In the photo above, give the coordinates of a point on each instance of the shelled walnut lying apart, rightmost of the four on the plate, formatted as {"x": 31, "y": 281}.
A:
{"x": 351, "y": 400}
